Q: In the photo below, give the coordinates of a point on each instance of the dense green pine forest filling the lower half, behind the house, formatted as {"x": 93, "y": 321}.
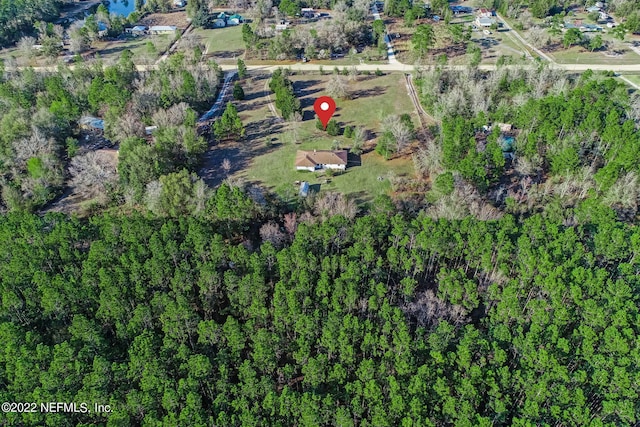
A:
{"x": 384, "y": 320}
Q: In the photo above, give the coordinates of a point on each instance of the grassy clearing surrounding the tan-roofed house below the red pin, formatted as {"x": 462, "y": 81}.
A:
{"x": 373, "y": 99}
